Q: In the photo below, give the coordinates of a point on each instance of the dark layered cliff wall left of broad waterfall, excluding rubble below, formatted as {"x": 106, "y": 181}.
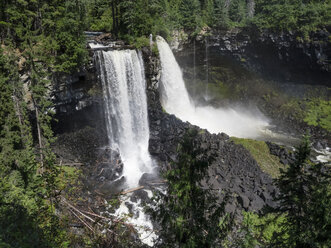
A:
{"x": 77, "y": 100}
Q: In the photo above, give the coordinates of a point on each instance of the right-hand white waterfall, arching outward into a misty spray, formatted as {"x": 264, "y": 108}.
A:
{"x": 175, "y": 100}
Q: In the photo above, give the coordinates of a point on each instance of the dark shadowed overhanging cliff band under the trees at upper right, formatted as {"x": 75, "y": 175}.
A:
{"x": 285, "y": 56}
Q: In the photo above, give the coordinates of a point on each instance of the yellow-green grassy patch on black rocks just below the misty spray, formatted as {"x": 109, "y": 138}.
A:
{"x": 260, "y": 152}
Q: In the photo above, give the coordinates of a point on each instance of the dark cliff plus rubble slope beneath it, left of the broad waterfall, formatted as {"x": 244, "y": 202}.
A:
{"x": 79, "y": 126}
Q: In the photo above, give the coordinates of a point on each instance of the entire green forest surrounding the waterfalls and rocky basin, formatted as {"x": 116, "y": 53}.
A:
{"x": 42, "y": 39}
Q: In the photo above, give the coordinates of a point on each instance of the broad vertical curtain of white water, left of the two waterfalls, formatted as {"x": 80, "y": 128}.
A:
{"x": 124, "y": 90}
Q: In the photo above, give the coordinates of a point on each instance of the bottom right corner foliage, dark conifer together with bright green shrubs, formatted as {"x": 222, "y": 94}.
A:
{"x": 303, "y": 217}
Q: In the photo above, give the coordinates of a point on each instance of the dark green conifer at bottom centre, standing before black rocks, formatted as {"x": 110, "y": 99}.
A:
{"x": 188, "y": 213}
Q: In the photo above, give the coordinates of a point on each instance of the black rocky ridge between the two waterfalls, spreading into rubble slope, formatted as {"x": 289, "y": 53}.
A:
{"x": 234, "y": 169}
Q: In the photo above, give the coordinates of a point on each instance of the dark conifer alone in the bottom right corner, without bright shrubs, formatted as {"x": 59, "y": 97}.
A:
{"x": 305, "y": 199}
